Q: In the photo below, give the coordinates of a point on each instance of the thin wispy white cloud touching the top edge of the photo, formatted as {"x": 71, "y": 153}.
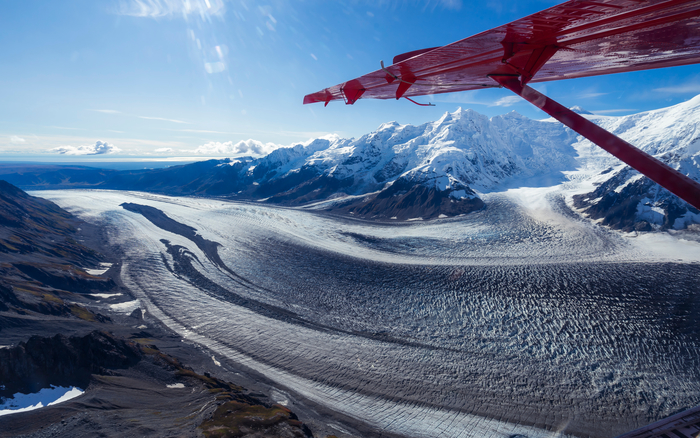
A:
{"x": 170, "y": 8}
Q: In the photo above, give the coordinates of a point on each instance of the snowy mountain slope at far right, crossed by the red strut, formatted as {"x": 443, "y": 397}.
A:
{"x": 624, "y": 198}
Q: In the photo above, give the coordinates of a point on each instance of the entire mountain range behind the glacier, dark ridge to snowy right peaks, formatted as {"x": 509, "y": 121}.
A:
{"x": 439, "y": 169}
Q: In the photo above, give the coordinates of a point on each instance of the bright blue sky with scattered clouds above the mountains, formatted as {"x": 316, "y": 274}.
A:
{"x": 152, "y": 79}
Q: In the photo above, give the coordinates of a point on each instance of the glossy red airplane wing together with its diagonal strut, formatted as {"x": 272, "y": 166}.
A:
{"x": 577, "y": 38}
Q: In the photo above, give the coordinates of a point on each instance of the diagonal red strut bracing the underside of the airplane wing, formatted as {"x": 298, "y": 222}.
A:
{"x": 674, "y": 181}
